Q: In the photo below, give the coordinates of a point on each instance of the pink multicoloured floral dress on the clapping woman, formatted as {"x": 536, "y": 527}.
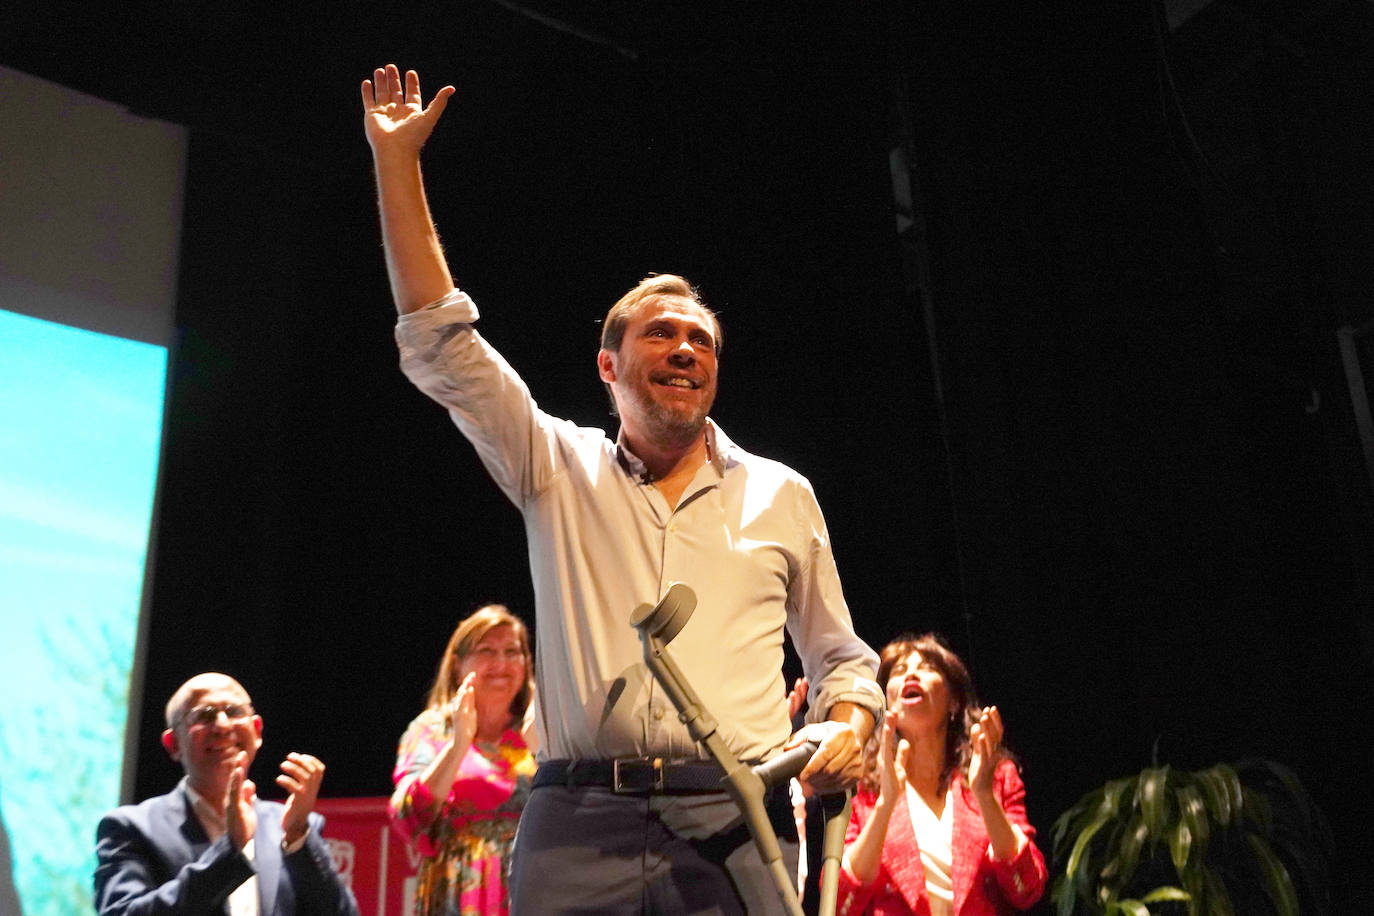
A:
{"x": 466, "y": 843}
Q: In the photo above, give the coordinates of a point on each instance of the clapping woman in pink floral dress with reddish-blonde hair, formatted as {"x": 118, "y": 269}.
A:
{"x": 465, "y": 764}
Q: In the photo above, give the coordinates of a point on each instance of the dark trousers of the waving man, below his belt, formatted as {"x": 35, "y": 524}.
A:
{"x": 589, "y": 851}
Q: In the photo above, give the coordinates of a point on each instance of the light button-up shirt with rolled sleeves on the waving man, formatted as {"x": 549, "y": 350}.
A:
{"x": 747, "y": 536}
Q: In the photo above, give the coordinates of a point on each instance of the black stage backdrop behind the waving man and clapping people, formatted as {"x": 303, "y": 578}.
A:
{"x": 1142, "y": 509}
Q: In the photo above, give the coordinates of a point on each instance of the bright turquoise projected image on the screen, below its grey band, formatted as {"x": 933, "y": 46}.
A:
{"x": 80, "y": 433}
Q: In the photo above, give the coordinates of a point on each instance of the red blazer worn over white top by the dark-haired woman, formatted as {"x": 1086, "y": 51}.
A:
{"x": 982, "y": 886}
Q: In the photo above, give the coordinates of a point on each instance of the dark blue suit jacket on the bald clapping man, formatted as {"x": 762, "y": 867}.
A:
{"x": 155, "y": 858}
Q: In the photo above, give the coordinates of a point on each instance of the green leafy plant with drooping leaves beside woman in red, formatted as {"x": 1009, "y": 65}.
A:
{"x": 1243, "y": 841}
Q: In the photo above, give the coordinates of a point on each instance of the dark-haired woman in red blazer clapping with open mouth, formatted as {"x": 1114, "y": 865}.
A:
{"x": 938, "y": 772}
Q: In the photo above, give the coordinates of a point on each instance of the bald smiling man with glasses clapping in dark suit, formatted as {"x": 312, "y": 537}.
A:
{"x": 211, "y": 845}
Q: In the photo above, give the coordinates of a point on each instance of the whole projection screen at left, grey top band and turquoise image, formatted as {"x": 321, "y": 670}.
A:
{"x": 89, "y": 262}
